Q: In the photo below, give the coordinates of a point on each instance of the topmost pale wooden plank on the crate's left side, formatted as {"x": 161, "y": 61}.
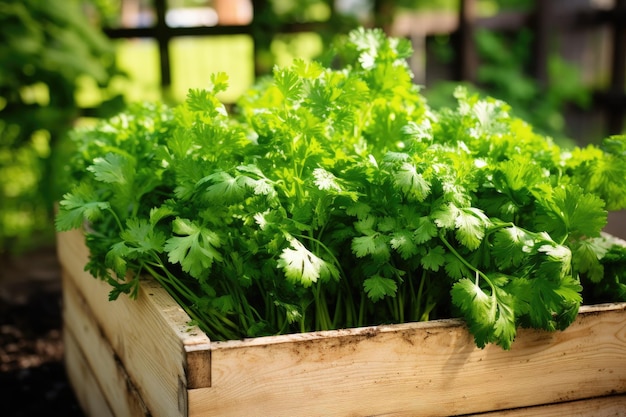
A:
{"x": 150, "y": 335}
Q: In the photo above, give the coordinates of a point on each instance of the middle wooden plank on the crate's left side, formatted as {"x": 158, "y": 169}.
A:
{"x": 92, "y": 357}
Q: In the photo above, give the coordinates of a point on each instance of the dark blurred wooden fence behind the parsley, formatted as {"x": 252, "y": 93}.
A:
{"x": 580, "y": 29}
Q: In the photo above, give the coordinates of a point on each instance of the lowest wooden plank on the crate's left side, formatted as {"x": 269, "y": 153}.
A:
{"x": 86, "y": 388}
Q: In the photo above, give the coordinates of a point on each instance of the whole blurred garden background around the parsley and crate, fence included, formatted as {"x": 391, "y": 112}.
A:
{"x": 561, "y": 64}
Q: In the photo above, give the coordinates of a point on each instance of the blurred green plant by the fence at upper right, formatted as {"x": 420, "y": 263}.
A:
{"x": 504, "y": 73}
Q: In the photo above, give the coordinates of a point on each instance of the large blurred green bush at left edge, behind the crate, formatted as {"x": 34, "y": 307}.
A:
{"x": 46, "y": 48}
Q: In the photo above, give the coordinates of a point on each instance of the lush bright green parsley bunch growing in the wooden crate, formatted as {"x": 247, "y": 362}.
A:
{"x": 337, "y": 198}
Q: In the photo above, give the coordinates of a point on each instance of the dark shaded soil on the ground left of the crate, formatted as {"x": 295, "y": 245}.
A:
{"x": 32, "y": 372}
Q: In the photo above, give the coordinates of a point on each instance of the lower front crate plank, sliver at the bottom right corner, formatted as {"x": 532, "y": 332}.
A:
{"x": 611, "y": 406}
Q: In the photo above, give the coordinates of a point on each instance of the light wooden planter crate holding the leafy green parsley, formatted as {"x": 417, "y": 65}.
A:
{"x": 133, "y": 358}
